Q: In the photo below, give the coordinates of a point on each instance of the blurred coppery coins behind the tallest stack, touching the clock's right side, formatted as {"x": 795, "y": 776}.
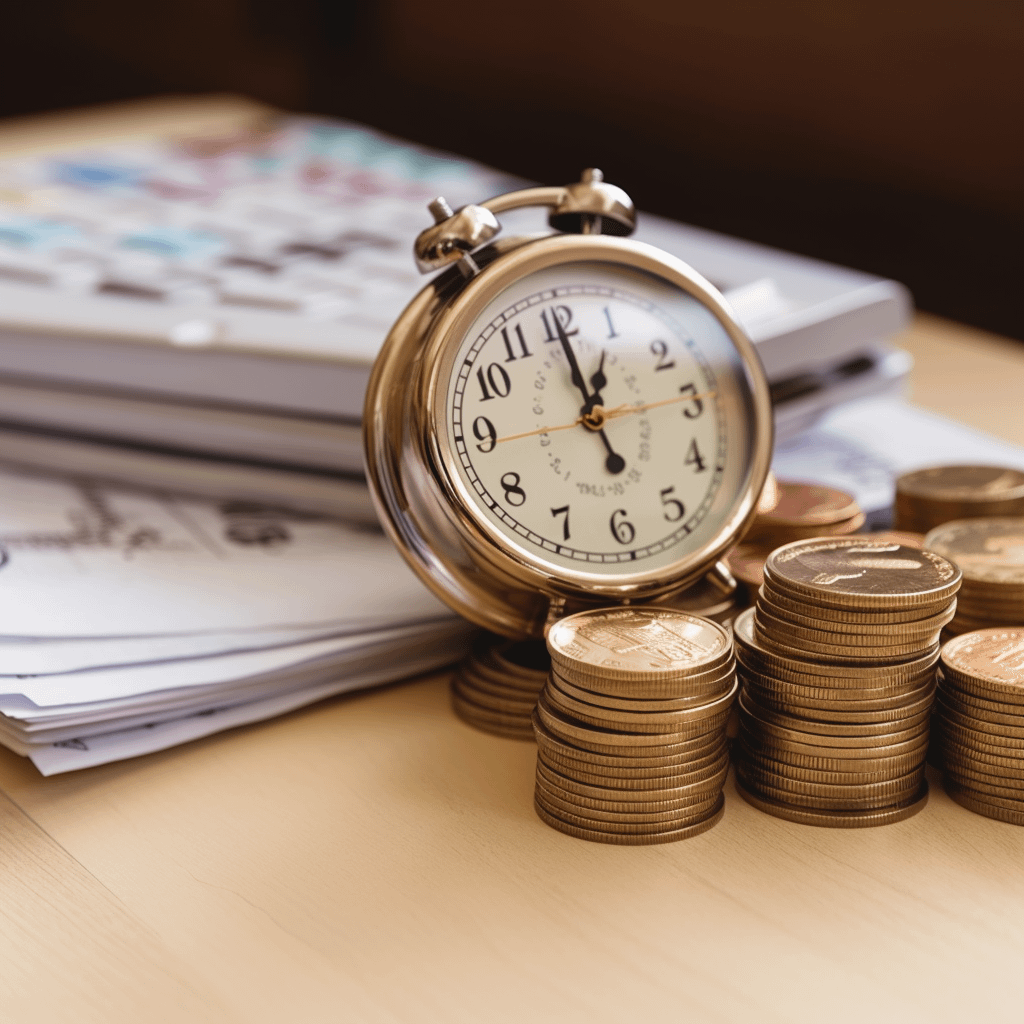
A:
{"x": 798, "y": 511}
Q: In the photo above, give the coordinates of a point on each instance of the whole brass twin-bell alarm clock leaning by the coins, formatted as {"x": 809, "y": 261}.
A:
{"x": 565, "y": 420}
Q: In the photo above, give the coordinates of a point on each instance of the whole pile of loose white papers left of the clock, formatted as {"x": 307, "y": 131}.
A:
{"x": 134, "y": 622}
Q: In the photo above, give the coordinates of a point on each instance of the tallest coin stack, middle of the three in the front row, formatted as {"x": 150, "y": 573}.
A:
{"x": 837, "y": 663}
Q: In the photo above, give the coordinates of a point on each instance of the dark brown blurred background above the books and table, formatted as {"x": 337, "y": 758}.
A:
{"x": 884, "y": 136}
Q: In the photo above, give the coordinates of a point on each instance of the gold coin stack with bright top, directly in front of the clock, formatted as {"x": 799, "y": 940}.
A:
{"x": 631, "y": 726}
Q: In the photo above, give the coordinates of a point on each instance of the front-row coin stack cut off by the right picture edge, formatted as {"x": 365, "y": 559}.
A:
{"x": 978, "y": 731}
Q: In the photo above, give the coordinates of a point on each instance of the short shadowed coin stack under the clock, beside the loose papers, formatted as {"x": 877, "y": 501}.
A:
{"x": 496, "y": 688}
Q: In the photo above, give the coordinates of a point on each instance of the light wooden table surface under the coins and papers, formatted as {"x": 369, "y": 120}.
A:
{"x": 374, "y": 860}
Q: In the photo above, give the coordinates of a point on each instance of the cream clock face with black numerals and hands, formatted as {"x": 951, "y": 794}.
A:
{"x": 599, "y": 421}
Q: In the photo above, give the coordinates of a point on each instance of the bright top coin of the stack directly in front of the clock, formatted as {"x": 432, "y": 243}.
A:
{"x": 639, "y": 645}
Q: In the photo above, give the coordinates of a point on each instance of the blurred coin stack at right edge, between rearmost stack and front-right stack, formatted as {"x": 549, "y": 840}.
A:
{"x": 991, "y": 554}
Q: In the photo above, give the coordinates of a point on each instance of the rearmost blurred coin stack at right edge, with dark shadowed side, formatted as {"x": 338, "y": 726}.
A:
{"x": 928, "y": 498}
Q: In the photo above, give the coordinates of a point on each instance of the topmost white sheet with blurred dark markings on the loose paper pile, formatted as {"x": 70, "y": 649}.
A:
{"x": 84, "y": 561}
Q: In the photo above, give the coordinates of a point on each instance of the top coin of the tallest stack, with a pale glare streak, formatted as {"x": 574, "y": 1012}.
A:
{"x": 856, "y": 573}
